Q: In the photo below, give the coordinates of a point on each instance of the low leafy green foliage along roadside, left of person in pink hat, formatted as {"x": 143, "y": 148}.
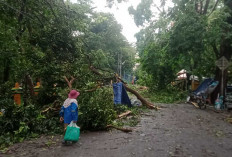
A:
{"x": 20, "y": 122}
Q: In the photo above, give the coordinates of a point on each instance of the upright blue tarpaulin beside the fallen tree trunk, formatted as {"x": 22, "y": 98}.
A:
{"x": 120, "y": 94}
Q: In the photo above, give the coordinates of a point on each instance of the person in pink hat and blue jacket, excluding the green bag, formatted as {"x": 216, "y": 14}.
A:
{"x": 69, "y": 110}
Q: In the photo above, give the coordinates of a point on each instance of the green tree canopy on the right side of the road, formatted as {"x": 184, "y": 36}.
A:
{"x": 191, "y": 35}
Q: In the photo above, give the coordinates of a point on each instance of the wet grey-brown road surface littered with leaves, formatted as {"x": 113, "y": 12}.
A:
{"x": 177, "y": 130}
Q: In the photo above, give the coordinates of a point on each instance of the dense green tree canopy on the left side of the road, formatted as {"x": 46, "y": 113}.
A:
{"x": 49, "y": 39}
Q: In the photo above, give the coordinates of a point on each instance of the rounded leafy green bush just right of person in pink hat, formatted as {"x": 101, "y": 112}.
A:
{"x": 96, "y": 109}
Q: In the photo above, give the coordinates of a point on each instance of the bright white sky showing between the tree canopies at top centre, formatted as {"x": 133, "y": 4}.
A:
{"x": 120, "y": 11}
